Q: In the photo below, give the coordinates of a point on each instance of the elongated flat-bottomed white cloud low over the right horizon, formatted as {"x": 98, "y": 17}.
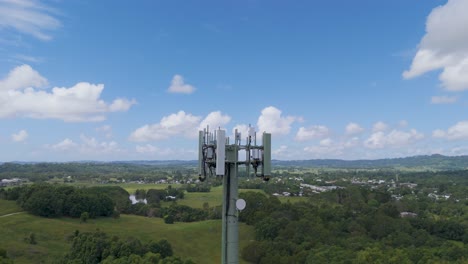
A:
{"x": 393, "y": 139}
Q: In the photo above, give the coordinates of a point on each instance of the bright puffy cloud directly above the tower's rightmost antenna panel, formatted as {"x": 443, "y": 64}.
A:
{"x": 271, "y": 121}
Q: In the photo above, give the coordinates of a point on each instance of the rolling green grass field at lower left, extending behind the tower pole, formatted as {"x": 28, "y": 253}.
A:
{"x": 200, "y": 241}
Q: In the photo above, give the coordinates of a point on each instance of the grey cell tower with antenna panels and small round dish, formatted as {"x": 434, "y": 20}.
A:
{"x": 215, "y": 152}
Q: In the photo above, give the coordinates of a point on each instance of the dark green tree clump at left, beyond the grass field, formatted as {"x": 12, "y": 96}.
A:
{"x": 59, "y": 200}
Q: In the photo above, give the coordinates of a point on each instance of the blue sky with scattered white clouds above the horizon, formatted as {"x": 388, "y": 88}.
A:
{"x": 126, "y": 80}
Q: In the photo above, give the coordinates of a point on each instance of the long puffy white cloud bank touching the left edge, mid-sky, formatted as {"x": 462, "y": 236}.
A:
{"x": 20, "y": 96}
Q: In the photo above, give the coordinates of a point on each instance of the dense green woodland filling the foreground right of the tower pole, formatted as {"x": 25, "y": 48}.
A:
{"x": 353, "y": 225}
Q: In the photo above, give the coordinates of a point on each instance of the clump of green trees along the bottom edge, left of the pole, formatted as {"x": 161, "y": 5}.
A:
{"x": 98, "y": 247}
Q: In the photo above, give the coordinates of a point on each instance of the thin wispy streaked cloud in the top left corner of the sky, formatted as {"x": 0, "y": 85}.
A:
{"x": 28, "y": 17}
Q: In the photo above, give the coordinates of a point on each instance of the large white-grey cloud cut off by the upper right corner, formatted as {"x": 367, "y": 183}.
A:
{"x": 444, "y": 46}
